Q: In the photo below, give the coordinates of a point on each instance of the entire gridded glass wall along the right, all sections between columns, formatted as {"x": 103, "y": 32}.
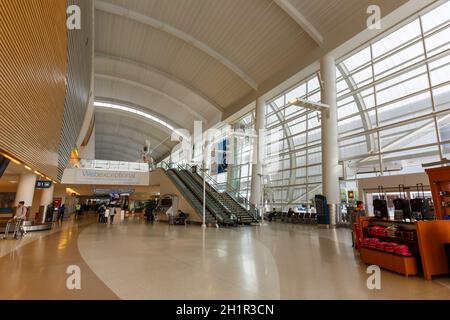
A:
{"x": 393, "y": 115}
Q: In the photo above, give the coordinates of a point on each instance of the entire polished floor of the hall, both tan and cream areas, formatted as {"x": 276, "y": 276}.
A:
{"x": 135, "y": 260}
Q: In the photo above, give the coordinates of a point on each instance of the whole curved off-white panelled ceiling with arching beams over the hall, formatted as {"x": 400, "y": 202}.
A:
{"x": 192, "y": 60}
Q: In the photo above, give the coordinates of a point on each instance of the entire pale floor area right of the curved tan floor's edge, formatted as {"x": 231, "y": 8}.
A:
{"x": 139, "y": 261}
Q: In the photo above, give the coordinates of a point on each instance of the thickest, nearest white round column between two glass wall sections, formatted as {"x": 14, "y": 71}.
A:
{"x": 330, "y": 151}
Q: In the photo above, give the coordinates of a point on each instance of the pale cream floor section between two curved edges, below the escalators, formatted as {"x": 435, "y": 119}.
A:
{"x": 139, "y": 261}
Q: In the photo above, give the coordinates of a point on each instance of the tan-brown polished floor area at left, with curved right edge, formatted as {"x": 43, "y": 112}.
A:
{"x": 37, "y": 269}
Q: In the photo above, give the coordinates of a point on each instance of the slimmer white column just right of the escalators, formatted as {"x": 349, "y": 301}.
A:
{"x": 255, "y": 196}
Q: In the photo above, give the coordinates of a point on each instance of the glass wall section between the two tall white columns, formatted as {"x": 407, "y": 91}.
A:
{"x": 298, "y": 152}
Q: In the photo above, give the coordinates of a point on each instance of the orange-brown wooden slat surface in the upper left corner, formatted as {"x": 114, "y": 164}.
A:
{"x": 33, "y": 65}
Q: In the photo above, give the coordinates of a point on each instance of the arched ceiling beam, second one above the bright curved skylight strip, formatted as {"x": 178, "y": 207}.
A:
{"x": 164, "y": 74}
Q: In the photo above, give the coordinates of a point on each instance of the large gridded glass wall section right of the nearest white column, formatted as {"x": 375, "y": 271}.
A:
{"x": 393, "y": 99}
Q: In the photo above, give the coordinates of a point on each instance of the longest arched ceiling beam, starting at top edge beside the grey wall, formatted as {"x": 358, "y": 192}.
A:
{"x": 164, "y": 27}
